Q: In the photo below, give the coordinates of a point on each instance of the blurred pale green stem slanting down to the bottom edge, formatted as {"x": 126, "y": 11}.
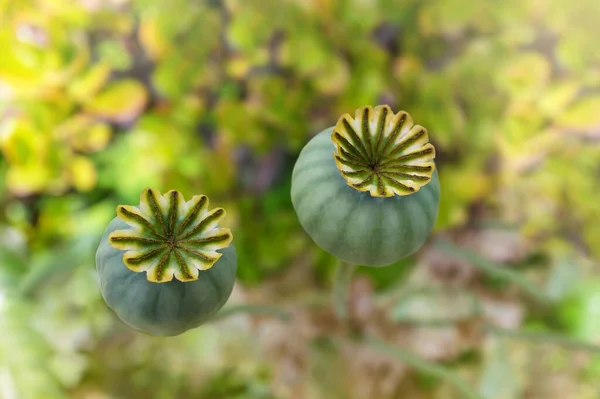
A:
{"x": 425, "y": 367}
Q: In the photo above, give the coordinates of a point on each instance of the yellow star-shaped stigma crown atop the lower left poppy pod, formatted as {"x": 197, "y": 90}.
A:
{"x": 170, "y": 237}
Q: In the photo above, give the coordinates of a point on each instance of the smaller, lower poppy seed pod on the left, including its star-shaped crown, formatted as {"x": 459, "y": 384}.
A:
{"x": 166, "y": 267}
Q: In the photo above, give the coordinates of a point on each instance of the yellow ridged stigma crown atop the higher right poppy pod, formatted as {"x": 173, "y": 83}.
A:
{"x": 383, "y": 153}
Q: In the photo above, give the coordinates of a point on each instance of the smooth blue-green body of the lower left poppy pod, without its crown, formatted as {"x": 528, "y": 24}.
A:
{"x": 166, "y": 309}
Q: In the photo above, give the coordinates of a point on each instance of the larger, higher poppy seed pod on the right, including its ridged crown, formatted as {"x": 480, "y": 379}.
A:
{"x": 367, "y": 190}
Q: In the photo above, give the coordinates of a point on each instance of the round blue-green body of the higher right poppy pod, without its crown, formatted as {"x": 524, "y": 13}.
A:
{"x": 353, "y": 225}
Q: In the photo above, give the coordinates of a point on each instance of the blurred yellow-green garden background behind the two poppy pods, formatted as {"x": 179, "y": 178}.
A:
{"x": 100, "y": 99}
